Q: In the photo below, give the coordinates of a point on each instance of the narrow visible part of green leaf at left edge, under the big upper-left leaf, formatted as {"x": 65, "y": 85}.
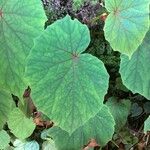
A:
{"x": 5, "y": 107}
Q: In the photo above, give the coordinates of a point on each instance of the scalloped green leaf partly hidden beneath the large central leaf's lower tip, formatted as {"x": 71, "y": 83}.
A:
{"x": 101, "y": 128}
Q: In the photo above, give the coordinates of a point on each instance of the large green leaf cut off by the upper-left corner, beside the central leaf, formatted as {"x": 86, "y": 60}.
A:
{"x": 20, "y": 22}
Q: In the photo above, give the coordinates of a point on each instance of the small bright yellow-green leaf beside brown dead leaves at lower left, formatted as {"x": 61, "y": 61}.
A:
{"x": 20, "y": 125}
